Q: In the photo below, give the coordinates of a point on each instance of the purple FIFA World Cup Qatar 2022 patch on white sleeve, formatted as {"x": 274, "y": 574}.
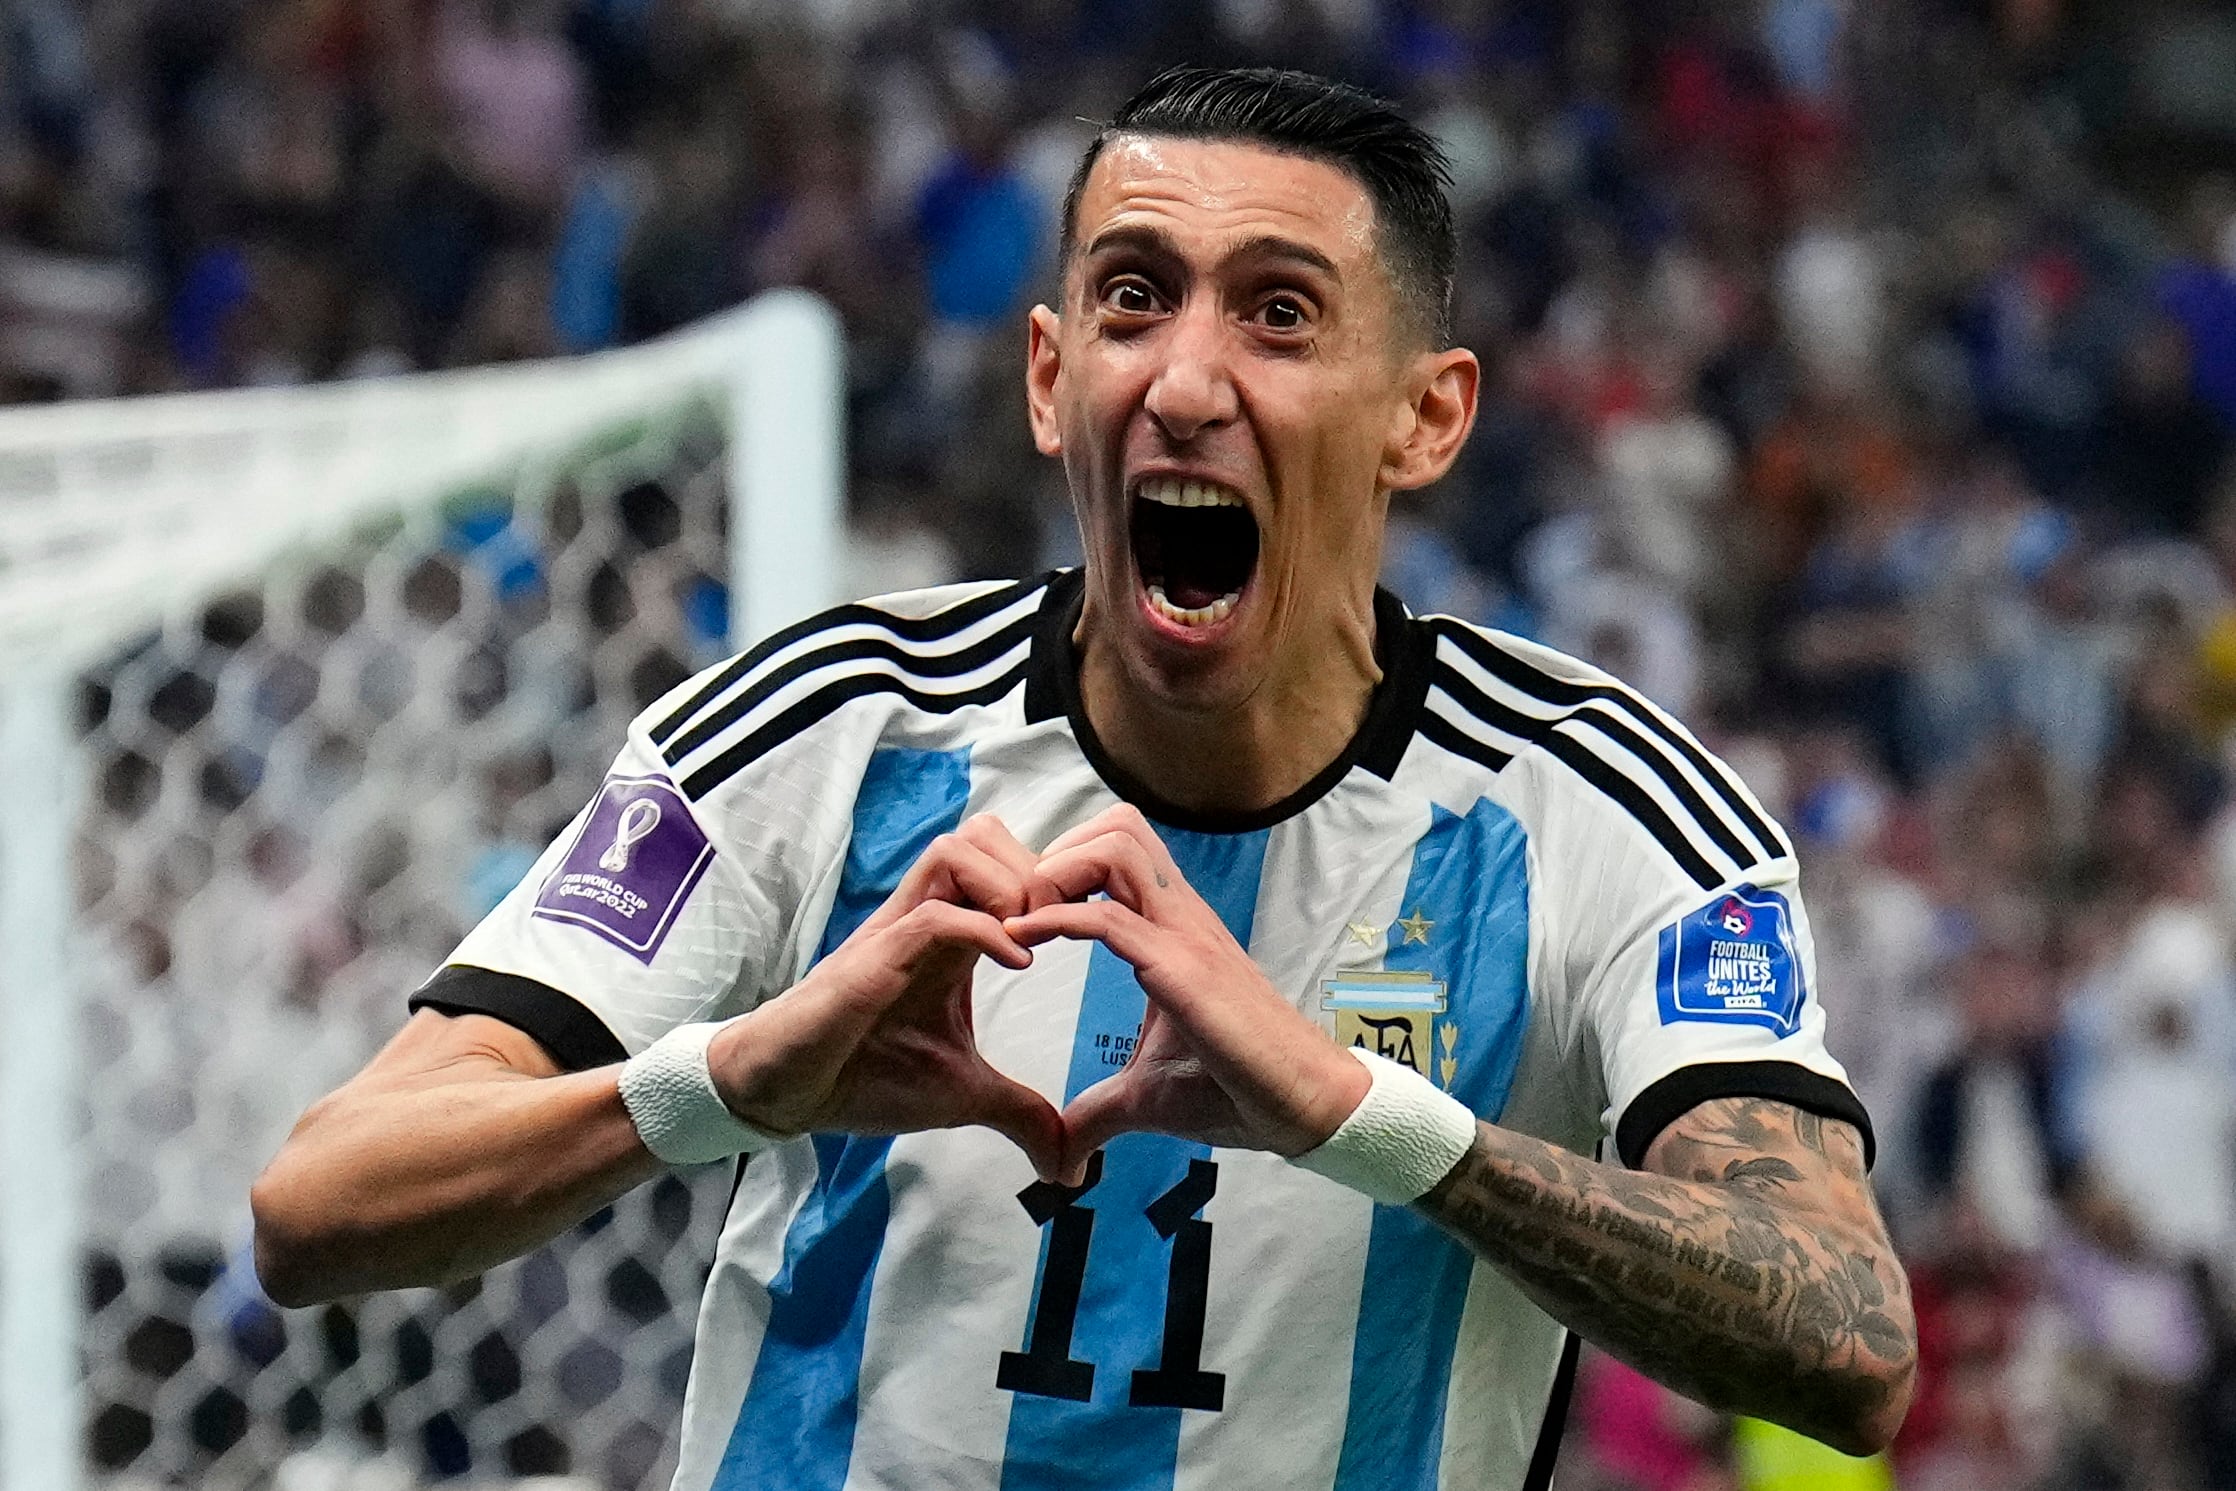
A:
{"x": 632, "y": 866}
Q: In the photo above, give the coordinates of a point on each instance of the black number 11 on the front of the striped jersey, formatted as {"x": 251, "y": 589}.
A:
{"x": 1177, "y": 1380}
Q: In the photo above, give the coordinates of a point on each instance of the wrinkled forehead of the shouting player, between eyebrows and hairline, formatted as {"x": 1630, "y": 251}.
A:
{"x": 1211, "y": 193}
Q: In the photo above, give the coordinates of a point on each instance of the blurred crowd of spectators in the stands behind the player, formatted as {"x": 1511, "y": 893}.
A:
{"x": 1859, "y": 386}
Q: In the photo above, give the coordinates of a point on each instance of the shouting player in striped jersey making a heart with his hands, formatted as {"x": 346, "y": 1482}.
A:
{"x": 1171, "y": 1007}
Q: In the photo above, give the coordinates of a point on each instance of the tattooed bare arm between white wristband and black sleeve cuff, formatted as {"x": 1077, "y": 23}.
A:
{"x": 1750, "y": 1271}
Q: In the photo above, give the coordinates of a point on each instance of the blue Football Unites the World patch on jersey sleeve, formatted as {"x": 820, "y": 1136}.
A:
{"x": 1734, "y": 962}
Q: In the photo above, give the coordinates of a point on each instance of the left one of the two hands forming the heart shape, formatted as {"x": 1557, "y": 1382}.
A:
{"x": 878, "y": 1038}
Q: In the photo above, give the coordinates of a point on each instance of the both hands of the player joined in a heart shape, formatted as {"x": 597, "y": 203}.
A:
{"x": 878, "y": 1038}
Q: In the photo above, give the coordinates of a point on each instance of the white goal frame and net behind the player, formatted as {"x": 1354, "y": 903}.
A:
{"x": 296, "y": 687}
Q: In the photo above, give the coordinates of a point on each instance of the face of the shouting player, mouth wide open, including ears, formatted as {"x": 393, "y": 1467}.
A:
{"x": 1235, "y": 392}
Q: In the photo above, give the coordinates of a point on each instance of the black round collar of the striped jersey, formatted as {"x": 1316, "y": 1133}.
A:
{"x": 1403, "y": 649}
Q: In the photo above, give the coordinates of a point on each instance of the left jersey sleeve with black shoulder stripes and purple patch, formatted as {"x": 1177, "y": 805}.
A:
{"x": 701, "y": 877}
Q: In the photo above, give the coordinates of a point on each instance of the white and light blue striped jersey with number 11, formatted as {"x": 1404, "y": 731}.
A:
{"x": 1522, "y": 880}
